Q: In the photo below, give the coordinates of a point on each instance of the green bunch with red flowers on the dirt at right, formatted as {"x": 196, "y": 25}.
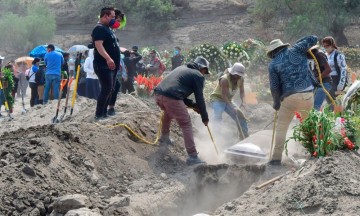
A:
{"x": 321, "y": 133}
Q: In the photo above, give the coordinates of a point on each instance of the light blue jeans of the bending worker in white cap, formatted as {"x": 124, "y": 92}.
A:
{"x": 219, "y": 107}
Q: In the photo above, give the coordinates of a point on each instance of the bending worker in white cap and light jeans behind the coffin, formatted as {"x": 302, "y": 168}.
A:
{"x": 221, "y": 98}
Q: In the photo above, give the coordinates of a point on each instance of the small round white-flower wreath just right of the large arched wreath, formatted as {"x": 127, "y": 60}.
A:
{"x": 234, "y": 51}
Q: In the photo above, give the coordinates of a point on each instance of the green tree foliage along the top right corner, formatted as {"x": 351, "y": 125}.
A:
{"x": 320, "y": 17}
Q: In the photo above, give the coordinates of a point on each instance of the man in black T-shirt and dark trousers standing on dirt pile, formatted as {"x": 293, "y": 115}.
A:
{"x": 106, "y": 58}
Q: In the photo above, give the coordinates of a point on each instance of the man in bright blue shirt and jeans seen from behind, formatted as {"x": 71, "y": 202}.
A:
{"x": 53, "y": 61}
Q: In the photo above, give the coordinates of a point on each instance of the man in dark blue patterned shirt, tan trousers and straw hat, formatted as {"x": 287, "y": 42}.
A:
{"x": 291, "y": 85}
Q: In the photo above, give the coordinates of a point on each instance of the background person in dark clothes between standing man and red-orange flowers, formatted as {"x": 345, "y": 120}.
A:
{"x": 130, "y": 60}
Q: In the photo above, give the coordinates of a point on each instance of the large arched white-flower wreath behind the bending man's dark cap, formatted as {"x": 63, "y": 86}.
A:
{"x": 218, "y": 62}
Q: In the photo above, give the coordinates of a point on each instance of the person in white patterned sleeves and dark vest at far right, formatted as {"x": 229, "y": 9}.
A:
{"x": 336, "y": 60}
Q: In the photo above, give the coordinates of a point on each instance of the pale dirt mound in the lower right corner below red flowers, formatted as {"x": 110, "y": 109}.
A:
{"x": 324, "y": 186}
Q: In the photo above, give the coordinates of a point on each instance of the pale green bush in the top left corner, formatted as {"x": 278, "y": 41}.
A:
{"x": 22, "y": 32}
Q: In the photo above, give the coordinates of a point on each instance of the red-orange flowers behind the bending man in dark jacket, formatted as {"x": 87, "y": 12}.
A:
{"x": 145, "y": 85}
